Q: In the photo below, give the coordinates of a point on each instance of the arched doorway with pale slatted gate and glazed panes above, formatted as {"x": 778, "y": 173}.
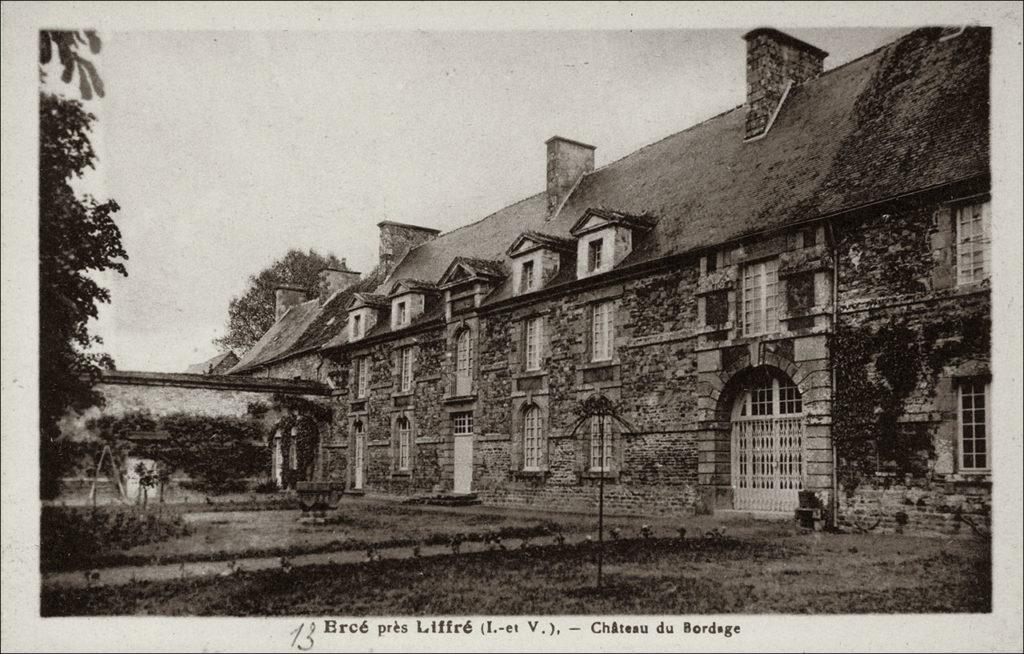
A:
{"x": 767, "y": 427}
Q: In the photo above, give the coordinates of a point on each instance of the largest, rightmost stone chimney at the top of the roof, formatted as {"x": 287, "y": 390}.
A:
{"x": 776, "y": 62}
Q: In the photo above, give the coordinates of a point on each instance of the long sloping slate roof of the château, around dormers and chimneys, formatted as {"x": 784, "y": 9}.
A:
{"x": 909, "y": 117}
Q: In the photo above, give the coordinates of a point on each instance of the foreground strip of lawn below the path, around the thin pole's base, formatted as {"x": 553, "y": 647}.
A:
{"x": 848, "y": 574}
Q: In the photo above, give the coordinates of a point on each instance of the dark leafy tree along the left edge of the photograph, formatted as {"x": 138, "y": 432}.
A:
{"x": 77, "y": 238}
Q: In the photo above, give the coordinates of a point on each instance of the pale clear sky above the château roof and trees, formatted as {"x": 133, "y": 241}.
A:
{"x": 225, "y": 150}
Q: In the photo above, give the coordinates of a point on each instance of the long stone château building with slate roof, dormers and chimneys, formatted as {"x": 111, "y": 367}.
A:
{"x": 790, "y": 296}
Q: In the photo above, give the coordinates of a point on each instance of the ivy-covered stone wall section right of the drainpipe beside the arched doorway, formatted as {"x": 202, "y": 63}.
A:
{"x": 898, "y": 429}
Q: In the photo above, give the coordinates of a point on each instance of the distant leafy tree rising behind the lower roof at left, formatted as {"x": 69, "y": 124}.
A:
{"x": 251, "y": 315}
